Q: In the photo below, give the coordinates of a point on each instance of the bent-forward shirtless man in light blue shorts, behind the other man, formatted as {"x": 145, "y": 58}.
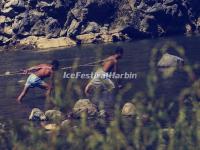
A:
{"x": 37, "y": 74}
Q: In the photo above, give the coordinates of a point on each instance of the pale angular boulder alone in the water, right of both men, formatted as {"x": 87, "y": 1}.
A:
{"x": 169, "y": 60}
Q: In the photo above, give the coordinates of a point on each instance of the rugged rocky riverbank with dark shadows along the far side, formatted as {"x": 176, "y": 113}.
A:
{"x": 62, "y": 23}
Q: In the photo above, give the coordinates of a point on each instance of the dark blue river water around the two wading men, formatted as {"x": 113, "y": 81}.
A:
{"x": 136, "y": 60}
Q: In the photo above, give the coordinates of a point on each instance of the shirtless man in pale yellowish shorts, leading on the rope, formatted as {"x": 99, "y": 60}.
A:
{"x": 108, "y": 65}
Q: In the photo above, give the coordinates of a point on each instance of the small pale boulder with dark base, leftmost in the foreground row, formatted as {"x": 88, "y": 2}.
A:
{"x": 37, "y": 115}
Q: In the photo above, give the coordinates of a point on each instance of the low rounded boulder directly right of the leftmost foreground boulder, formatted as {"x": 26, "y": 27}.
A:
{"x": 54, "y": 115}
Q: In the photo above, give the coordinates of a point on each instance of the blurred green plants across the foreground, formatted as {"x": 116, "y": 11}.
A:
{"x": 162, "y": 122}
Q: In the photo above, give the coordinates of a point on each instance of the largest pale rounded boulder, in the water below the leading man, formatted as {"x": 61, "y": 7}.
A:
{"x": 85, "y": 106}
